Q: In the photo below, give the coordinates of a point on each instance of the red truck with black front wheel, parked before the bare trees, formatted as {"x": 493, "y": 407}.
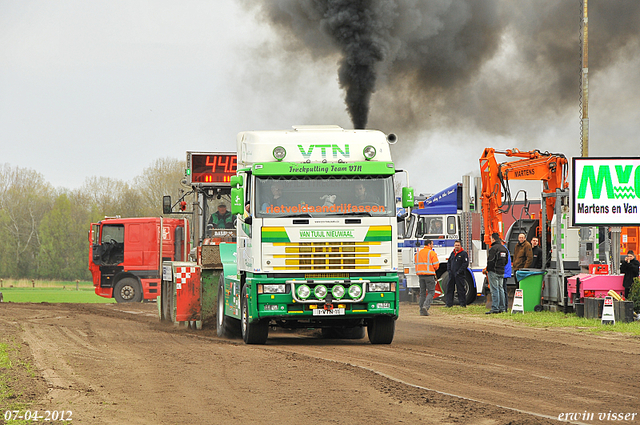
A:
{"x": 126, "y": 255}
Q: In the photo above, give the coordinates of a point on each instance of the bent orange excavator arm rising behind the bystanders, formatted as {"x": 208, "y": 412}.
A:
{"x": 550, "y": 168}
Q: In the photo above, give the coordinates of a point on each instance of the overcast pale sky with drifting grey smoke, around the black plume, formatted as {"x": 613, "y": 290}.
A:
{"x": 102, "y": 88}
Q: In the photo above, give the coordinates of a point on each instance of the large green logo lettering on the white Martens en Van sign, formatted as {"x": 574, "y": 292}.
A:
{"x": 595, "y": 182}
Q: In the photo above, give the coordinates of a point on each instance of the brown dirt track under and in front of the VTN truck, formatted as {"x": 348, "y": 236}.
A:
{"x": 116, "y": 364}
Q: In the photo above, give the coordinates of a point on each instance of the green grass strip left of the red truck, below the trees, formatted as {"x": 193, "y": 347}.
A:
{"x": 38, "y": 291}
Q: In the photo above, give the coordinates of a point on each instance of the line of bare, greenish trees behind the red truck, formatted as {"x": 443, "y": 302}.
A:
{"x": 44, "y": 230}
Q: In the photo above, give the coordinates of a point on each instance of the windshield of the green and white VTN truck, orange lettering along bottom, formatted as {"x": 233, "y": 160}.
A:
{"x": 322, "y": 196}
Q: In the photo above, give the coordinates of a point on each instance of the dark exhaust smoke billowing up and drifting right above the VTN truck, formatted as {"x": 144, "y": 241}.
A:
{"x": 496, "y": 65}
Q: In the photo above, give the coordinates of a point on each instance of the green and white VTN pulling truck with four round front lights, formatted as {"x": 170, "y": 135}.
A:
{"x": 316, "y": 235}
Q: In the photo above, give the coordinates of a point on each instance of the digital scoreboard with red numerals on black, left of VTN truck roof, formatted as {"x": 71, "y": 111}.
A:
{"x": 210, "y": 167}
